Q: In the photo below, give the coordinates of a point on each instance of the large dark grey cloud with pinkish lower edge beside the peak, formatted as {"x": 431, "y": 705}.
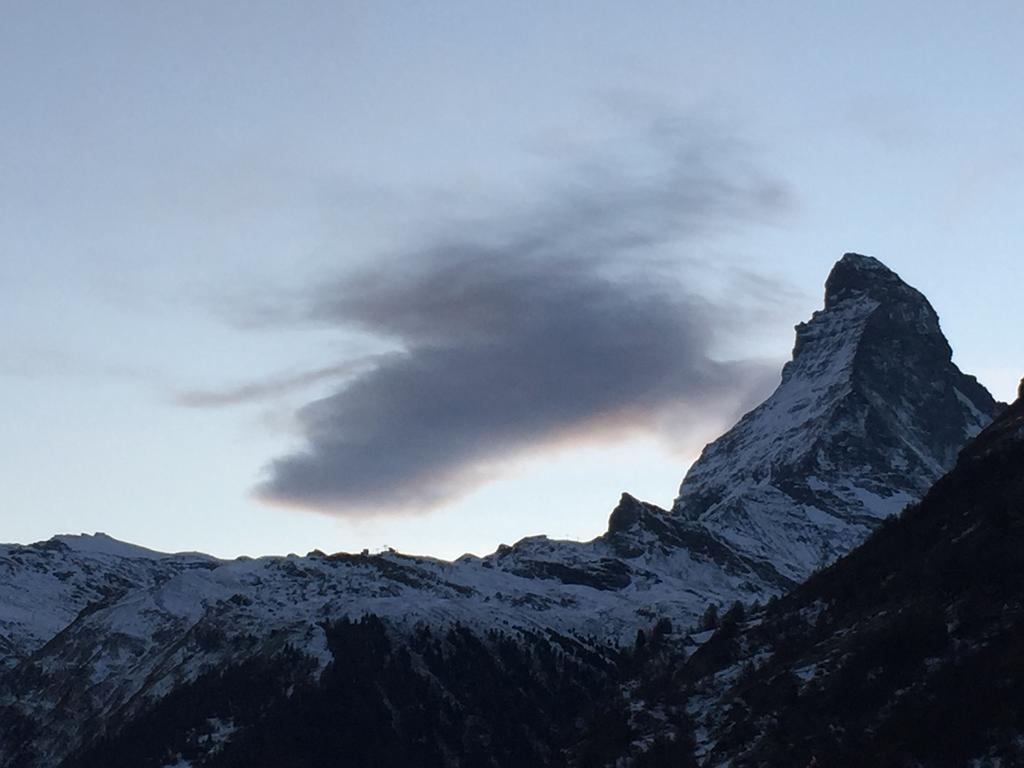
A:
{"x": 578, "y": 317}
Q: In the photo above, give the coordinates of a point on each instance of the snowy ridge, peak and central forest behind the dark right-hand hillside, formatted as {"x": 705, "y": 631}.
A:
{"x": 111, "y": 655}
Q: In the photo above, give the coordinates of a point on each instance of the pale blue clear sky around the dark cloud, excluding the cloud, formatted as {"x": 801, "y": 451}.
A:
{"x": 167, "y": 170}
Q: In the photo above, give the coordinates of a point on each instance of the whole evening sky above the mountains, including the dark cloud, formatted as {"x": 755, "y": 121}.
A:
{"x": 283, "y": 277}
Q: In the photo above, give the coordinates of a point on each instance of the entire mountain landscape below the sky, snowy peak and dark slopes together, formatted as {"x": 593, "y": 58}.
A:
{"x": 650, "y": 646}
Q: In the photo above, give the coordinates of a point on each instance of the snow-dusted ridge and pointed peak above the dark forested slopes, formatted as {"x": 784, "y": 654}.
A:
{"x": 870, "y": 412}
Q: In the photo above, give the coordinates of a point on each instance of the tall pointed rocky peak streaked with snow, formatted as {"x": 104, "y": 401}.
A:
{"x": 870, "y": 414}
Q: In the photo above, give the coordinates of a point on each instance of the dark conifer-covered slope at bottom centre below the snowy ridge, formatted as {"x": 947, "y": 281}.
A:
{"x": 437, "y": 700}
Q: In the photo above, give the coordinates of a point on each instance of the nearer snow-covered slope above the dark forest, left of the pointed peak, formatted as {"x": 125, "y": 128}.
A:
{"x": 114, "y": 662}
